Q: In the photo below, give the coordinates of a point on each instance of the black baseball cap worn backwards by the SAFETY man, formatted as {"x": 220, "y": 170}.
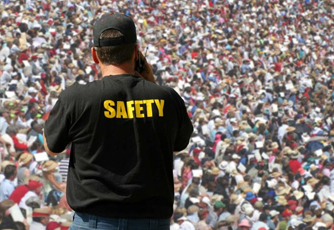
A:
{"x": 116, "y": 21}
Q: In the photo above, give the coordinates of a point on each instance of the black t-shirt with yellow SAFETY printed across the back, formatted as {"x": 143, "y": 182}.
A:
{"x": 123, "y": 131}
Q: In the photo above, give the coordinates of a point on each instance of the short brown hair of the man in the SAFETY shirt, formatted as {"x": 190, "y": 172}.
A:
{"x": 114, "y": 55}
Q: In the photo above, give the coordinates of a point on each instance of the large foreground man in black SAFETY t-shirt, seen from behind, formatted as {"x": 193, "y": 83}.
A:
{"x": 123, "y": 131}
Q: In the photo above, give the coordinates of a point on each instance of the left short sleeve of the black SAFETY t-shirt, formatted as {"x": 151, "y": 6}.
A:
{"x": 57, "y": 128}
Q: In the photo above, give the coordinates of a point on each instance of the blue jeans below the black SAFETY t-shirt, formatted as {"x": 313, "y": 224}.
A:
{"x": 84, "y": 221}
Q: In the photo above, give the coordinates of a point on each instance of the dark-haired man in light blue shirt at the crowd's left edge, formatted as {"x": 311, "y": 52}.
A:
{"x": 7, "y": 185}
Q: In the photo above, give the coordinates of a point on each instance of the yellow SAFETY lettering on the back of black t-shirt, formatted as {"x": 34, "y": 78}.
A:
{"x": 134, "y": 108}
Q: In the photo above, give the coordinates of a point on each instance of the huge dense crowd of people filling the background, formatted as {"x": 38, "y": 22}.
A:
{"x": 257, "y": 80}
